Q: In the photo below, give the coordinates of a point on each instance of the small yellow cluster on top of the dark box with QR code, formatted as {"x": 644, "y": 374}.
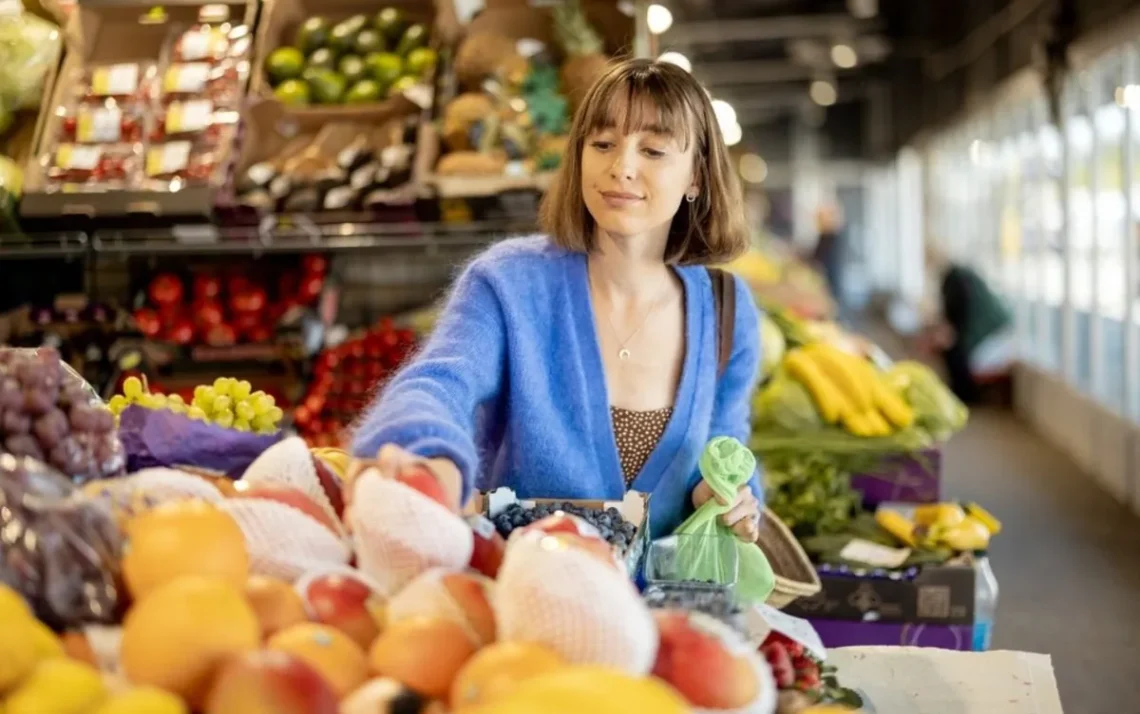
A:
{"x": 942, "y": 525}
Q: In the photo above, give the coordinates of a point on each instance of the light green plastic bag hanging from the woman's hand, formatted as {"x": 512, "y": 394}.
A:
{"x": 726, "y": 466}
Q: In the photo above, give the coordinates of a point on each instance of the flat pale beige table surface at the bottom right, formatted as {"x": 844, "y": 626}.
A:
{"x": 908, "y": 680}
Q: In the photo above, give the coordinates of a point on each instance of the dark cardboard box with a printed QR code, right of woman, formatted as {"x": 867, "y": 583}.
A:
{"x": 937, "y": 595}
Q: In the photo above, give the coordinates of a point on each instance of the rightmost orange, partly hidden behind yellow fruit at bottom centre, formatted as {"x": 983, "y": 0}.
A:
{"x": 496, "y": 669}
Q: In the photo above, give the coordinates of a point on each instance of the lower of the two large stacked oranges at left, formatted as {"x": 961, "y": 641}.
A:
{"x": 178, "y": 637}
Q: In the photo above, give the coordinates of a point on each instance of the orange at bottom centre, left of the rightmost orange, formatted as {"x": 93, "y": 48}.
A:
{"x": 424, "y": 654}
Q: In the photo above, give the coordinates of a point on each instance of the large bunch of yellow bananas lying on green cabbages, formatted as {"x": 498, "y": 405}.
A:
{"x": 848, "y": 391}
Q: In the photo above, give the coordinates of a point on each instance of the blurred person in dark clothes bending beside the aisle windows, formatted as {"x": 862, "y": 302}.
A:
{"x": 973, "y": 327}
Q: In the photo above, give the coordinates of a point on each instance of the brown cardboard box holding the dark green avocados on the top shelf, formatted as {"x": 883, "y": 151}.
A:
{"x": 278, "y": 28}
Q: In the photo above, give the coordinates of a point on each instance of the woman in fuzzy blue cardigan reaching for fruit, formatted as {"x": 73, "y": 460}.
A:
{"x": 584, "y": 362}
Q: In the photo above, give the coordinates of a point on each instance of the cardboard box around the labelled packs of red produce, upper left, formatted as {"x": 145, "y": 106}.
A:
{"x": 109, "y": 33}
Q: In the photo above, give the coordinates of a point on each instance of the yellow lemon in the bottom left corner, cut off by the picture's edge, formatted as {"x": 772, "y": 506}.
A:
{"x": 61, "y": 687}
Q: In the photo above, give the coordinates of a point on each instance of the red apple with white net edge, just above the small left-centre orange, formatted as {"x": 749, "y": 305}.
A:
{"x": 345, "y": 603}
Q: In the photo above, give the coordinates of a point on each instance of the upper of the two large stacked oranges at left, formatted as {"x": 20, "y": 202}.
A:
{"x": 184, "y": 538}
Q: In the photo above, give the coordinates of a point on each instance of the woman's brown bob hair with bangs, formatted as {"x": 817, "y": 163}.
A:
{"x": 709, "y": 231}
